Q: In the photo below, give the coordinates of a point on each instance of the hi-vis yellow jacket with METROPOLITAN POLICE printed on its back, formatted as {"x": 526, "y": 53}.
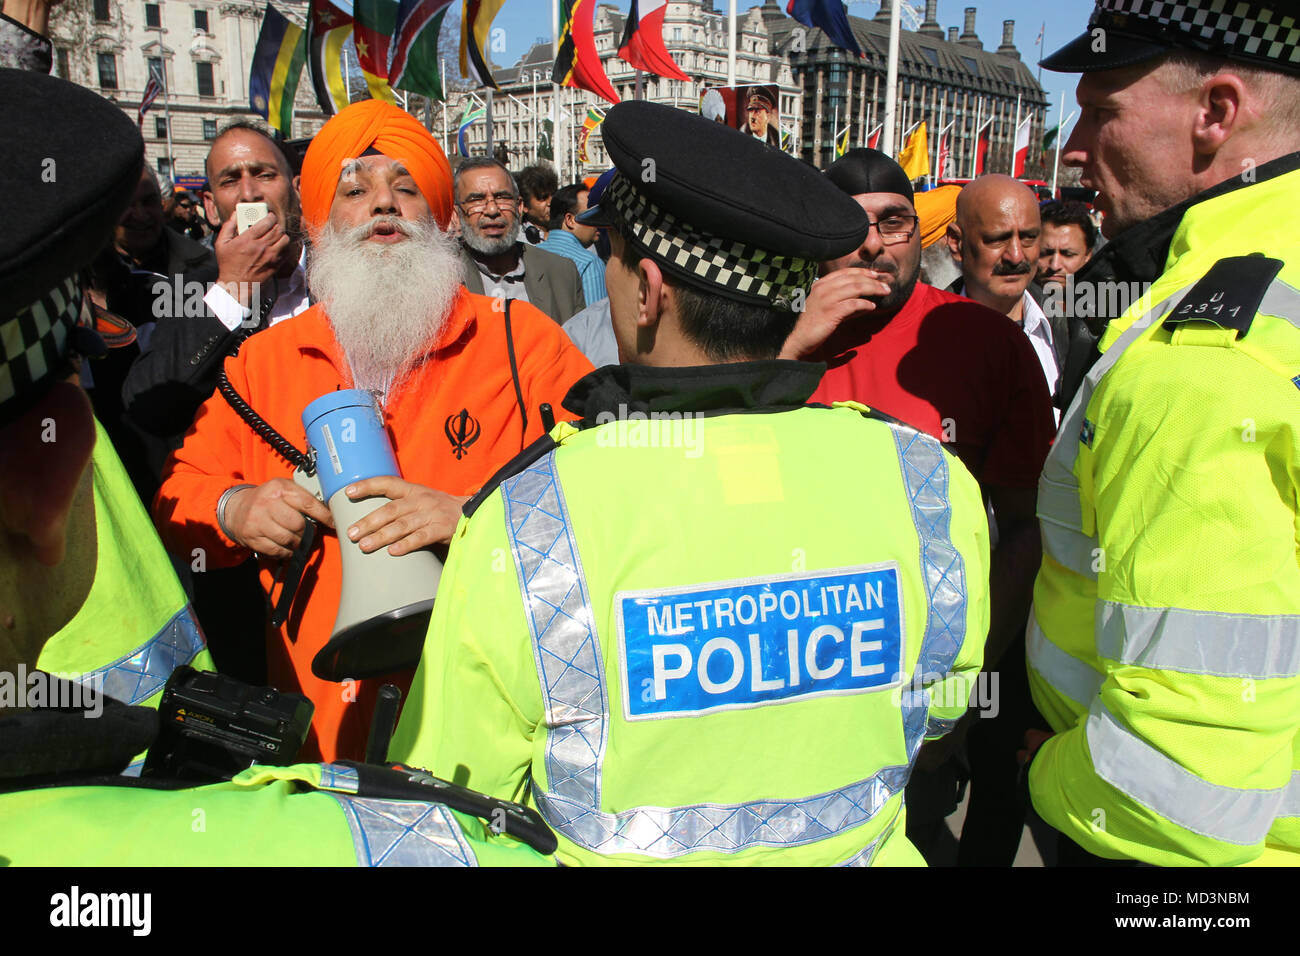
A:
{"x": 621, "y": 639}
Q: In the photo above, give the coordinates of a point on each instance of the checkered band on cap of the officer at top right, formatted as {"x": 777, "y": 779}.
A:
{"x": 1228, "y": 28}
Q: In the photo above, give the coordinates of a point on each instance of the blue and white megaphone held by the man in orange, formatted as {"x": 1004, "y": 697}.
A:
{"x": 385, "y": 603}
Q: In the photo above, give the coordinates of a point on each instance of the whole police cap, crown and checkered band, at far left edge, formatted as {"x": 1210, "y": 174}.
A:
{"x": 71, "y": 163}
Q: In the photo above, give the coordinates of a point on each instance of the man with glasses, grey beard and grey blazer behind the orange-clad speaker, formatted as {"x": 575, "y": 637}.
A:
{"x": 496, "y": 262}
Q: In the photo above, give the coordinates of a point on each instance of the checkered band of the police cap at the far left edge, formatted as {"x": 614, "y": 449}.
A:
{"x": 34, "y": 344}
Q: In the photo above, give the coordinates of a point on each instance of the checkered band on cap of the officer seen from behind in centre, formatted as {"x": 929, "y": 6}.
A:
{"x": 726, "y": 267}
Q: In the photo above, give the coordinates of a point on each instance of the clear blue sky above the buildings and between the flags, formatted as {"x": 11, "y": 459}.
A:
{"x": 526, "y": 21}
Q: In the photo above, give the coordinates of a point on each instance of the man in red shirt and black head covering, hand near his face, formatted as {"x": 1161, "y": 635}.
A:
{"x": 968, "y": 377}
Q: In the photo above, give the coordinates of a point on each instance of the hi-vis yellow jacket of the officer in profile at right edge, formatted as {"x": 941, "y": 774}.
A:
{"x": 1164, "y": 644}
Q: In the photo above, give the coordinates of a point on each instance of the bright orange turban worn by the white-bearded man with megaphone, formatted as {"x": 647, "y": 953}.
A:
{"x": 391, "y": 131}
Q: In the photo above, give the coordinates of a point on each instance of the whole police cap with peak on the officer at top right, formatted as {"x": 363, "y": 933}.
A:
{"x": 1123, "y": 33}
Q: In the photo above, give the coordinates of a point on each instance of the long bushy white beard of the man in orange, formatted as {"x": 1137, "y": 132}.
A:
{"x": 387, "y": 304}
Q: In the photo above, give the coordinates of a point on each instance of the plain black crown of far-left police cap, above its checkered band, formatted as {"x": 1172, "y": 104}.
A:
{"x": 71, "y": 161}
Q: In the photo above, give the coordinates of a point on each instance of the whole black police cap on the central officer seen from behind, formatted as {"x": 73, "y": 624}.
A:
{"x": 720, "y": 210}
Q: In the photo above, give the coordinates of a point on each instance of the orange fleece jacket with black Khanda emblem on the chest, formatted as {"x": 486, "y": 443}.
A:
{"x": 279, "y": 373}
